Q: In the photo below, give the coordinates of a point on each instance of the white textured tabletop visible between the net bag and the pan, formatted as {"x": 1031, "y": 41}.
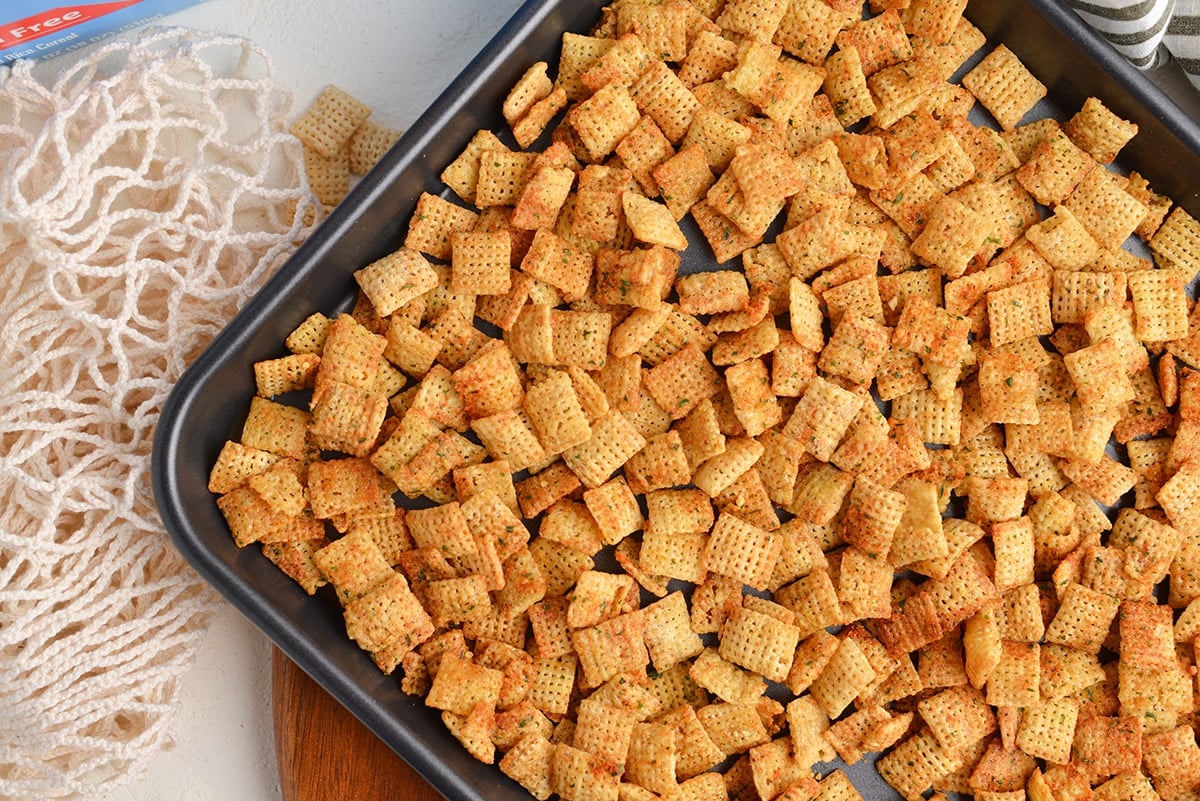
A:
{"x": 397, "y": 56}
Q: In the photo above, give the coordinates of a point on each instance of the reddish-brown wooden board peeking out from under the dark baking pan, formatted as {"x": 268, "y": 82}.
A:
{"x": 325, "y": 754}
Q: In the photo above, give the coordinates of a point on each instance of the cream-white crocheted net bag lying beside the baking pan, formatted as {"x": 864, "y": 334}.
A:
{"x": 145, "y": 196}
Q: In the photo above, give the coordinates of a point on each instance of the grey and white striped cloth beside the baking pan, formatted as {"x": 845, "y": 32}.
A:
{"x": 1149, "y": 33}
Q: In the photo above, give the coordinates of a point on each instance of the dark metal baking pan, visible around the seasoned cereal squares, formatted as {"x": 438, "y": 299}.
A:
{"x": 211, "y": 402}
